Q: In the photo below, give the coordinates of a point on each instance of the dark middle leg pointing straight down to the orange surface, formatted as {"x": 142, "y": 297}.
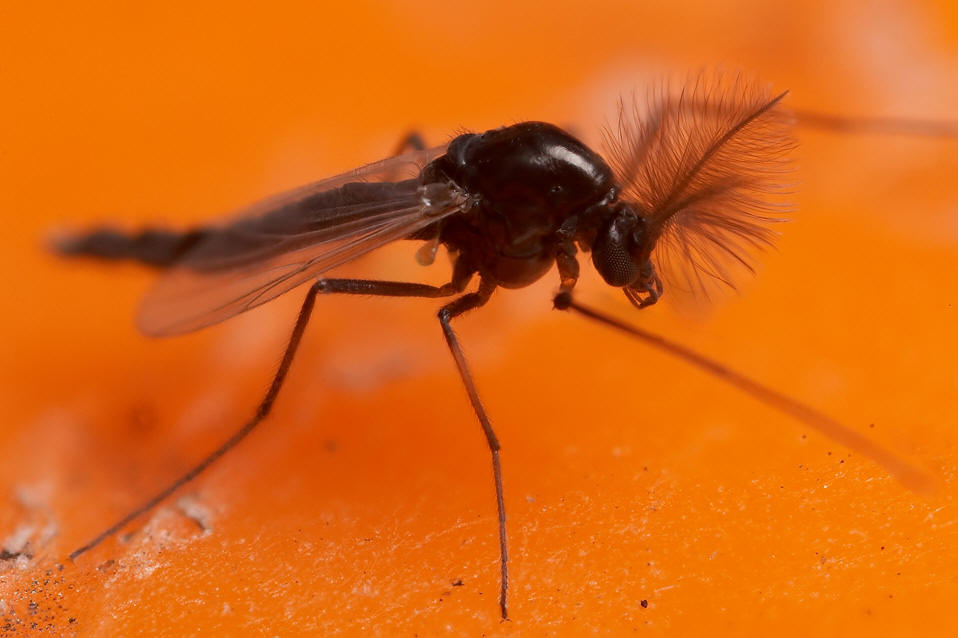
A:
{"x": 446, "y": 314}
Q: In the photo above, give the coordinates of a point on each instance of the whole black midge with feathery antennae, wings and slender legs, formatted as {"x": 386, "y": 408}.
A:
{"x": 692, "y": 184}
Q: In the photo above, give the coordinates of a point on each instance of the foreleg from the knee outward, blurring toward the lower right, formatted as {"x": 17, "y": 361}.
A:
{"x": 911, "y": 476}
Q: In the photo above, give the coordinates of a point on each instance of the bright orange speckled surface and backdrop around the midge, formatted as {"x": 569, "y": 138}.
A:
{"x": 629, "y": 477}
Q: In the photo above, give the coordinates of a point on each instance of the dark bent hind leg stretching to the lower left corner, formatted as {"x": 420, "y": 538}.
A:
{"x": 323, "y": 286}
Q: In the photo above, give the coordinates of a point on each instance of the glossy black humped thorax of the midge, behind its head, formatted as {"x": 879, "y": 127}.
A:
{"x": 531, "y": 188}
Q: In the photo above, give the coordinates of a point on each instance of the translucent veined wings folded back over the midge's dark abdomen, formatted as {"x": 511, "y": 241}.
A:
{"x": 286, "y": 240}
